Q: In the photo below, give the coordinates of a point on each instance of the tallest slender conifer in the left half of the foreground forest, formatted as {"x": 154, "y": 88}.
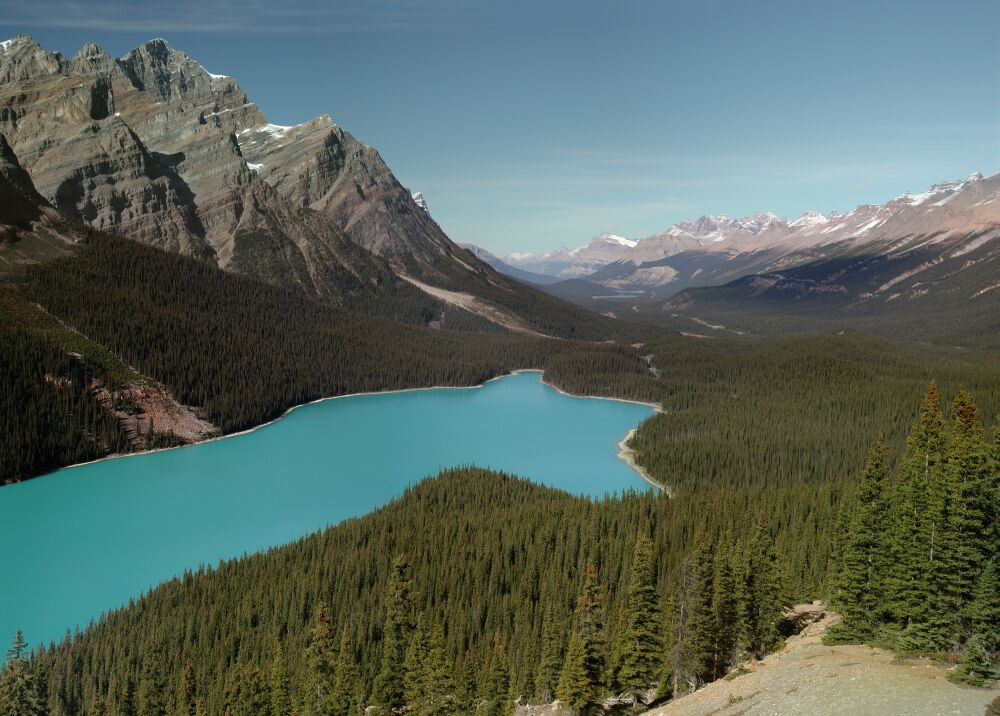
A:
{"x": 387, "y": 691}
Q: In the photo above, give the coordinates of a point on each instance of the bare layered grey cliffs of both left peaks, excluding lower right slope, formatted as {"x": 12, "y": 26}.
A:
{"x": 154, "y": 147}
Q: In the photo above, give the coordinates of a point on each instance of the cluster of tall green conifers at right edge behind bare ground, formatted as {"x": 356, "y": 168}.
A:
{"x": 918, "y": 570}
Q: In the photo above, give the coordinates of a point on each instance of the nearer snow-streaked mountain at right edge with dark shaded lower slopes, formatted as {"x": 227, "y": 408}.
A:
{"x": 920, "y": 264}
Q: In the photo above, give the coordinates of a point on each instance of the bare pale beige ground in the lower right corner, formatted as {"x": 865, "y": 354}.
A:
{"x": 809, "y": 678}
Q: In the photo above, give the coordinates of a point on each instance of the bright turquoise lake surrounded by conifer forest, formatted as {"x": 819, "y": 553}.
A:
{"x": 83, "y": 540}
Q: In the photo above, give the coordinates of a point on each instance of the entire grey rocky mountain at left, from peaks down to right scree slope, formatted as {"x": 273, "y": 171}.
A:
{"x": 154, "y": 147}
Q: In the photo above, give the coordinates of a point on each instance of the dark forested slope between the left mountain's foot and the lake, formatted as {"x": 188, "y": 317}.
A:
{"x": 241, "y": 350}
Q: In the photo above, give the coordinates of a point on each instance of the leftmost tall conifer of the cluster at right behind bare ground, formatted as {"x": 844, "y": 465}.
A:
{"x": 861, "y": 591}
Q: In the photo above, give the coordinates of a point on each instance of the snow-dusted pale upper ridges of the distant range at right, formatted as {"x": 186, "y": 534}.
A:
{"x": 716, "y": 249}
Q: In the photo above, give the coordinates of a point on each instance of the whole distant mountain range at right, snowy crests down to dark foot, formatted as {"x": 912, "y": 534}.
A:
{"x": 933, "y": 255}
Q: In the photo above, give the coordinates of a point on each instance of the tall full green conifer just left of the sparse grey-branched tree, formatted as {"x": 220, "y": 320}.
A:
{"x": 641, "y": 659}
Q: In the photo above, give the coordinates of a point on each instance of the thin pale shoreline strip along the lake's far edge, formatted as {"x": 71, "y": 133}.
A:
{"x": 288, "y": 411}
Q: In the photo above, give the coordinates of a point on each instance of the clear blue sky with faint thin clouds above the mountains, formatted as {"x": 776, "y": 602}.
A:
{"x": 533, "y": 125}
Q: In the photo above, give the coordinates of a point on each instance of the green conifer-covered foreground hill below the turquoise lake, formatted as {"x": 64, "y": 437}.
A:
{"x": 471, "y": 590}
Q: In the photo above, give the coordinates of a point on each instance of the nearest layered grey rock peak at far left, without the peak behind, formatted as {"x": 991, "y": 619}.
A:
{"x": 147, "y": 146}
